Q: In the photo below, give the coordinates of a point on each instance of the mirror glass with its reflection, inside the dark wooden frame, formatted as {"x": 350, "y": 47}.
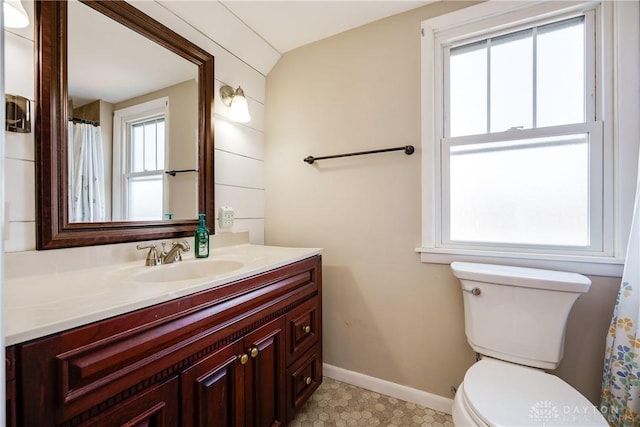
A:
{"x": 133, "y": 124}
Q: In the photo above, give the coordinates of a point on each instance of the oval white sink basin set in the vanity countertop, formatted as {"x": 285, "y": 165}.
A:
{"x": 187, "y": 270}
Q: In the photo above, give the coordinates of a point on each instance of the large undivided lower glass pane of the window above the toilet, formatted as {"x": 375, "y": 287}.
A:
{"x": 521, "y": 192}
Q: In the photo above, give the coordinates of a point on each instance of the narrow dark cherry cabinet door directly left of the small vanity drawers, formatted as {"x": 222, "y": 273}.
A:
{"x": 265, "y": 375}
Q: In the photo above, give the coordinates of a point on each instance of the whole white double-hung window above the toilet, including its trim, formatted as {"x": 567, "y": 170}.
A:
{"x": 517, "y": 156}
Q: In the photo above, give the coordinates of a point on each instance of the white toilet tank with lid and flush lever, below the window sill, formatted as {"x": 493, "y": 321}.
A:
{"x": 518, "y": 314}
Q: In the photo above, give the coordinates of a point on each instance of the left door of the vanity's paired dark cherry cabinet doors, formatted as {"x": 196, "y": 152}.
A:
{"x": 212, "y": 390}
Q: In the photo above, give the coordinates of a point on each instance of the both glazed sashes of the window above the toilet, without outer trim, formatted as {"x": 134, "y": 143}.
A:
{"x": 521, "y": 146}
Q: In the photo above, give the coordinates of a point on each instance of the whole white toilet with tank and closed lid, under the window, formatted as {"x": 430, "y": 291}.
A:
{"x": 515, "y": 318}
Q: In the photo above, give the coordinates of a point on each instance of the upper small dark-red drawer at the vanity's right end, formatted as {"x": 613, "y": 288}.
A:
{"x": 303, "y": 325}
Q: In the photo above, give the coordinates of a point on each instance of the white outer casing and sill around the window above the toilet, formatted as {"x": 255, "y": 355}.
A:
{"x": 618, "y": 84}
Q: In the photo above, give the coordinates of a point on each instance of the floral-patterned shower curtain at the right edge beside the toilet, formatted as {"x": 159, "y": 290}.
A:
{"x": 621, "y": 377}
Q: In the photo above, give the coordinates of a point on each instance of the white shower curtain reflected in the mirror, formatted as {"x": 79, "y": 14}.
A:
{"x": 86, "y": 173}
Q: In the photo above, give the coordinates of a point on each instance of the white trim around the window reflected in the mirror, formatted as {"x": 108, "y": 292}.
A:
{"x": 122, "y": 120}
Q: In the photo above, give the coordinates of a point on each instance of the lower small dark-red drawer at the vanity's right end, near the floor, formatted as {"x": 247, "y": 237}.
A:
{"x": 303, "y": 378}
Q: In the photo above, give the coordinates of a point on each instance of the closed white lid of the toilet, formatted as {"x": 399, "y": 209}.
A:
{"x": 505, "y": 394}
